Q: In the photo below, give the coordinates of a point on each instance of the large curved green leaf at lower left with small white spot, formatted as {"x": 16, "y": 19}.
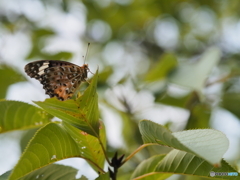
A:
{"x": 50, "y": 144}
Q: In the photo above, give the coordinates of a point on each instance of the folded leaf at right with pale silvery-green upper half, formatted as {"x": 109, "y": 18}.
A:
{"x": 206, "y": 143}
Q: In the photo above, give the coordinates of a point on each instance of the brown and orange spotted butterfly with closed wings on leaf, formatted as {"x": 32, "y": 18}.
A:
{"x": 59, "y": 78}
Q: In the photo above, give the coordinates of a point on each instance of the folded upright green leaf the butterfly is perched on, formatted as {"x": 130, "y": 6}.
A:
{"x": 82, "y": 113}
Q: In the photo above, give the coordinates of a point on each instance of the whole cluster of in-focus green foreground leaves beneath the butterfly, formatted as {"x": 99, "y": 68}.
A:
{"x": 81, "y": 134}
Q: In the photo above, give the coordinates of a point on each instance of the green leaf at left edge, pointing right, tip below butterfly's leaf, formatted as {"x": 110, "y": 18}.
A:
{"x": 17, "y": 115}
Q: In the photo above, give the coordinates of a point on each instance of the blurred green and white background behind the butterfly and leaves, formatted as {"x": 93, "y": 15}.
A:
{"x": 137, "y": 45}
